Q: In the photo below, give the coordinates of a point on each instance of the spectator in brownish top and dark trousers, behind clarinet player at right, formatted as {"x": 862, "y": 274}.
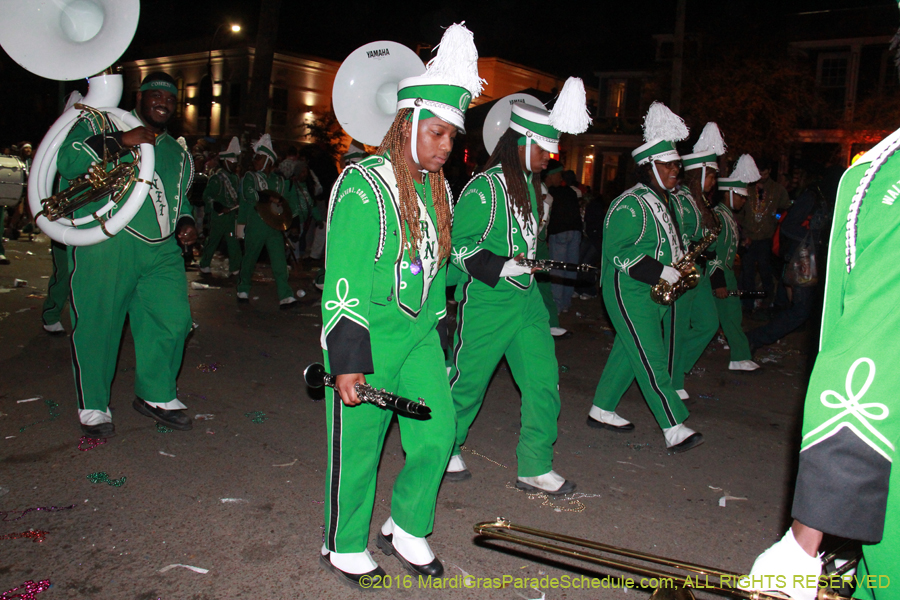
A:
{"x": 766, "y": 199}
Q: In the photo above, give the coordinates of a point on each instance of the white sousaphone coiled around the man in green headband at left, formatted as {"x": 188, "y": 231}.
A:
{"x": 67, "y": 40}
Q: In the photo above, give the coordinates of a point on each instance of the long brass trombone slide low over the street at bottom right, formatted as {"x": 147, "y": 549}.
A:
{"x": 497, "y": 530}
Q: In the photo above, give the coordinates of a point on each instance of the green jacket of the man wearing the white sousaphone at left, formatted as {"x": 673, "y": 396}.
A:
{"x": 166, "y": 203}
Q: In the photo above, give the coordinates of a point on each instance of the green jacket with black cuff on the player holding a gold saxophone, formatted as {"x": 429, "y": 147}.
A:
{"x": 640, "y": 237}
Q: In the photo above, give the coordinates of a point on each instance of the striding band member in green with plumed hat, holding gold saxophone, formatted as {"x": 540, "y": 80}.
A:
{"x": 640, "y": 241}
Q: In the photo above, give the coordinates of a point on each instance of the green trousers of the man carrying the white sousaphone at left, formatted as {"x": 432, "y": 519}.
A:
{"x": 125, "y": 276}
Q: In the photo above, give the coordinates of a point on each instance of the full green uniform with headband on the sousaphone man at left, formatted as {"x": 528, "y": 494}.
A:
{"x": 138, "y": 273}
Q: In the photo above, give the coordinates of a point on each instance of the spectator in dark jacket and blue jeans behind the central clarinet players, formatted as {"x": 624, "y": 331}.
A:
{"x": 564, "y": 231}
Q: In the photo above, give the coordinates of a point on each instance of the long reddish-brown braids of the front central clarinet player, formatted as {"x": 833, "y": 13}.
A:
{"x": 392, "y": 146}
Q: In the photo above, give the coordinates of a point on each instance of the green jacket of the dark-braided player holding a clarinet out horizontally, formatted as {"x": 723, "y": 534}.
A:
{"x": 484, "y": 237}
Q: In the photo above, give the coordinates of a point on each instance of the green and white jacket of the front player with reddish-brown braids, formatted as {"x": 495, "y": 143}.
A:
{"x": 365, "y": 264}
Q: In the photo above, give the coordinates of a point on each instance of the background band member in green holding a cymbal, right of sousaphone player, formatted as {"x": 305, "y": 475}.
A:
{"x": 259, "y": 235}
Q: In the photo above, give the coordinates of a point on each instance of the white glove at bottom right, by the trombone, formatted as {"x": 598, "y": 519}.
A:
{"x": 783, "y": 563}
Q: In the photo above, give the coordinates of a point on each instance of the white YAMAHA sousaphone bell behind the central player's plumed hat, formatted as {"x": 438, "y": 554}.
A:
{"x": 365, "y": 88}
